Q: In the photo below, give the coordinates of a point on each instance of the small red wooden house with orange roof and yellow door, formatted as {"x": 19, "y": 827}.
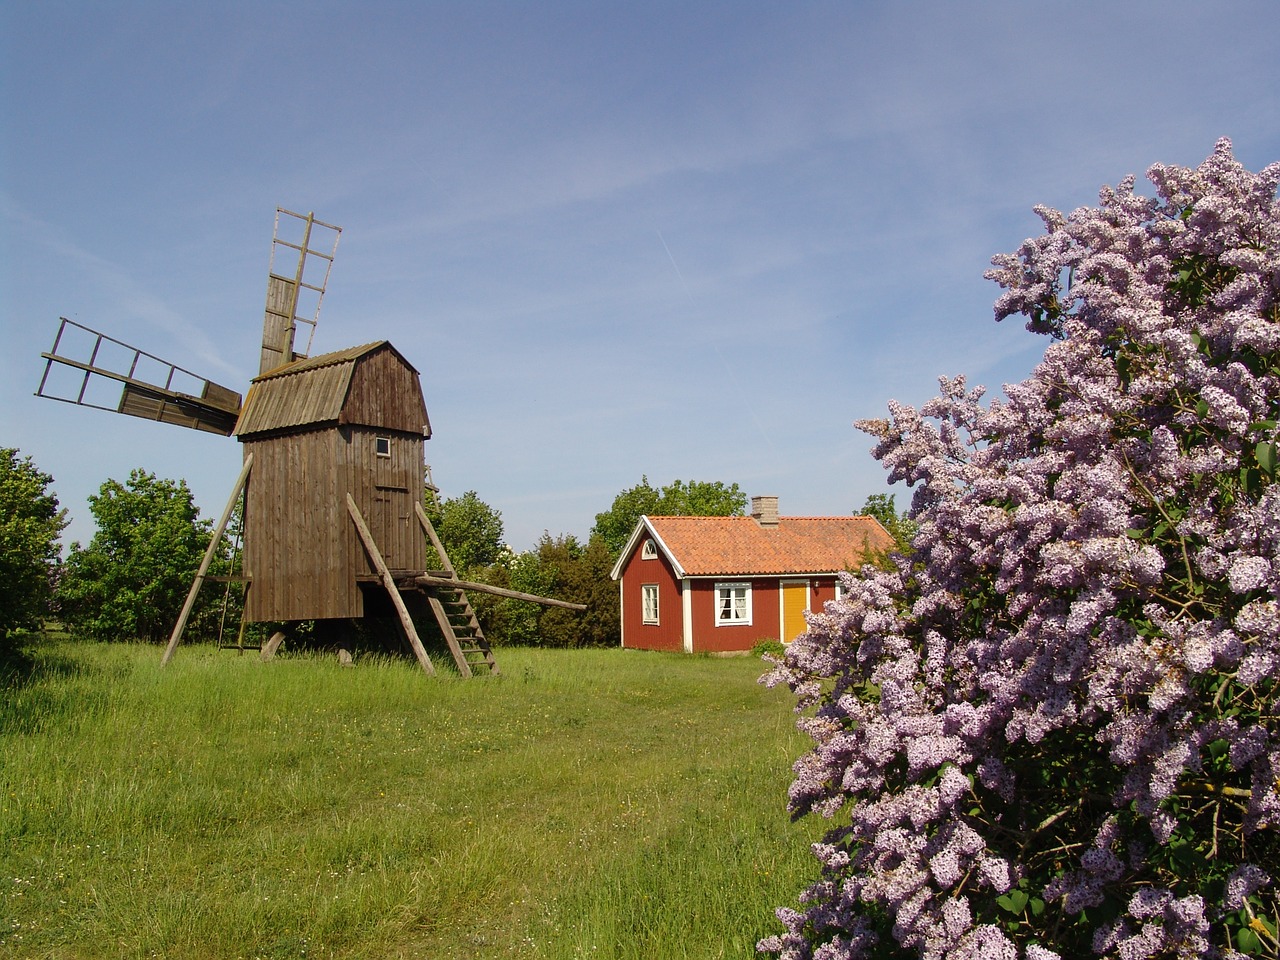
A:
{"x": 724, "y": 584}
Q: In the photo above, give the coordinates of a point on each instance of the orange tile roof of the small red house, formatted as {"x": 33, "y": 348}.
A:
{"x": 740, "y": 546}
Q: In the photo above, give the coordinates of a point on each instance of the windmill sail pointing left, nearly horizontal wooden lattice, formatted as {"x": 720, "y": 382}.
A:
{"x": 88, "y": 368}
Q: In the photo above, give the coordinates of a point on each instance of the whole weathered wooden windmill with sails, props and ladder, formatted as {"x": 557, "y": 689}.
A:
{"x": 333, "y": 468}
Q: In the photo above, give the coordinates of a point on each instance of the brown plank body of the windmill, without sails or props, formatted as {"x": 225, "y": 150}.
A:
{"x": 319, "y": 429}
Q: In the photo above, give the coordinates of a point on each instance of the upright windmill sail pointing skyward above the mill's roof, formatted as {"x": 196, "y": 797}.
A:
{"x": 295, "y": 299}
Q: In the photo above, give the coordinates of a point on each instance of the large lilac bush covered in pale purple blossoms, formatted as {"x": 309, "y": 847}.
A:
{"x": 1052, "y": 730}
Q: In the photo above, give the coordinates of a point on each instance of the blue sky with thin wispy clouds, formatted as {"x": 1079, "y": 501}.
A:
{"x": 687, "y": 241}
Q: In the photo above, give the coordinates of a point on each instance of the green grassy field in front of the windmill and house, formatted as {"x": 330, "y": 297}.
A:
{"x": 586, "y": 804}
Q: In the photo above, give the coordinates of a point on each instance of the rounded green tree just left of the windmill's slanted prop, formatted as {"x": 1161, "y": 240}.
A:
{"x": 134, "y": 578}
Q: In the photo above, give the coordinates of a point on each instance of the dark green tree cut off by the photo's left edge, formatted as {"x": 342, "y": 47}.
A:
{"x": 31, "y": 524}
